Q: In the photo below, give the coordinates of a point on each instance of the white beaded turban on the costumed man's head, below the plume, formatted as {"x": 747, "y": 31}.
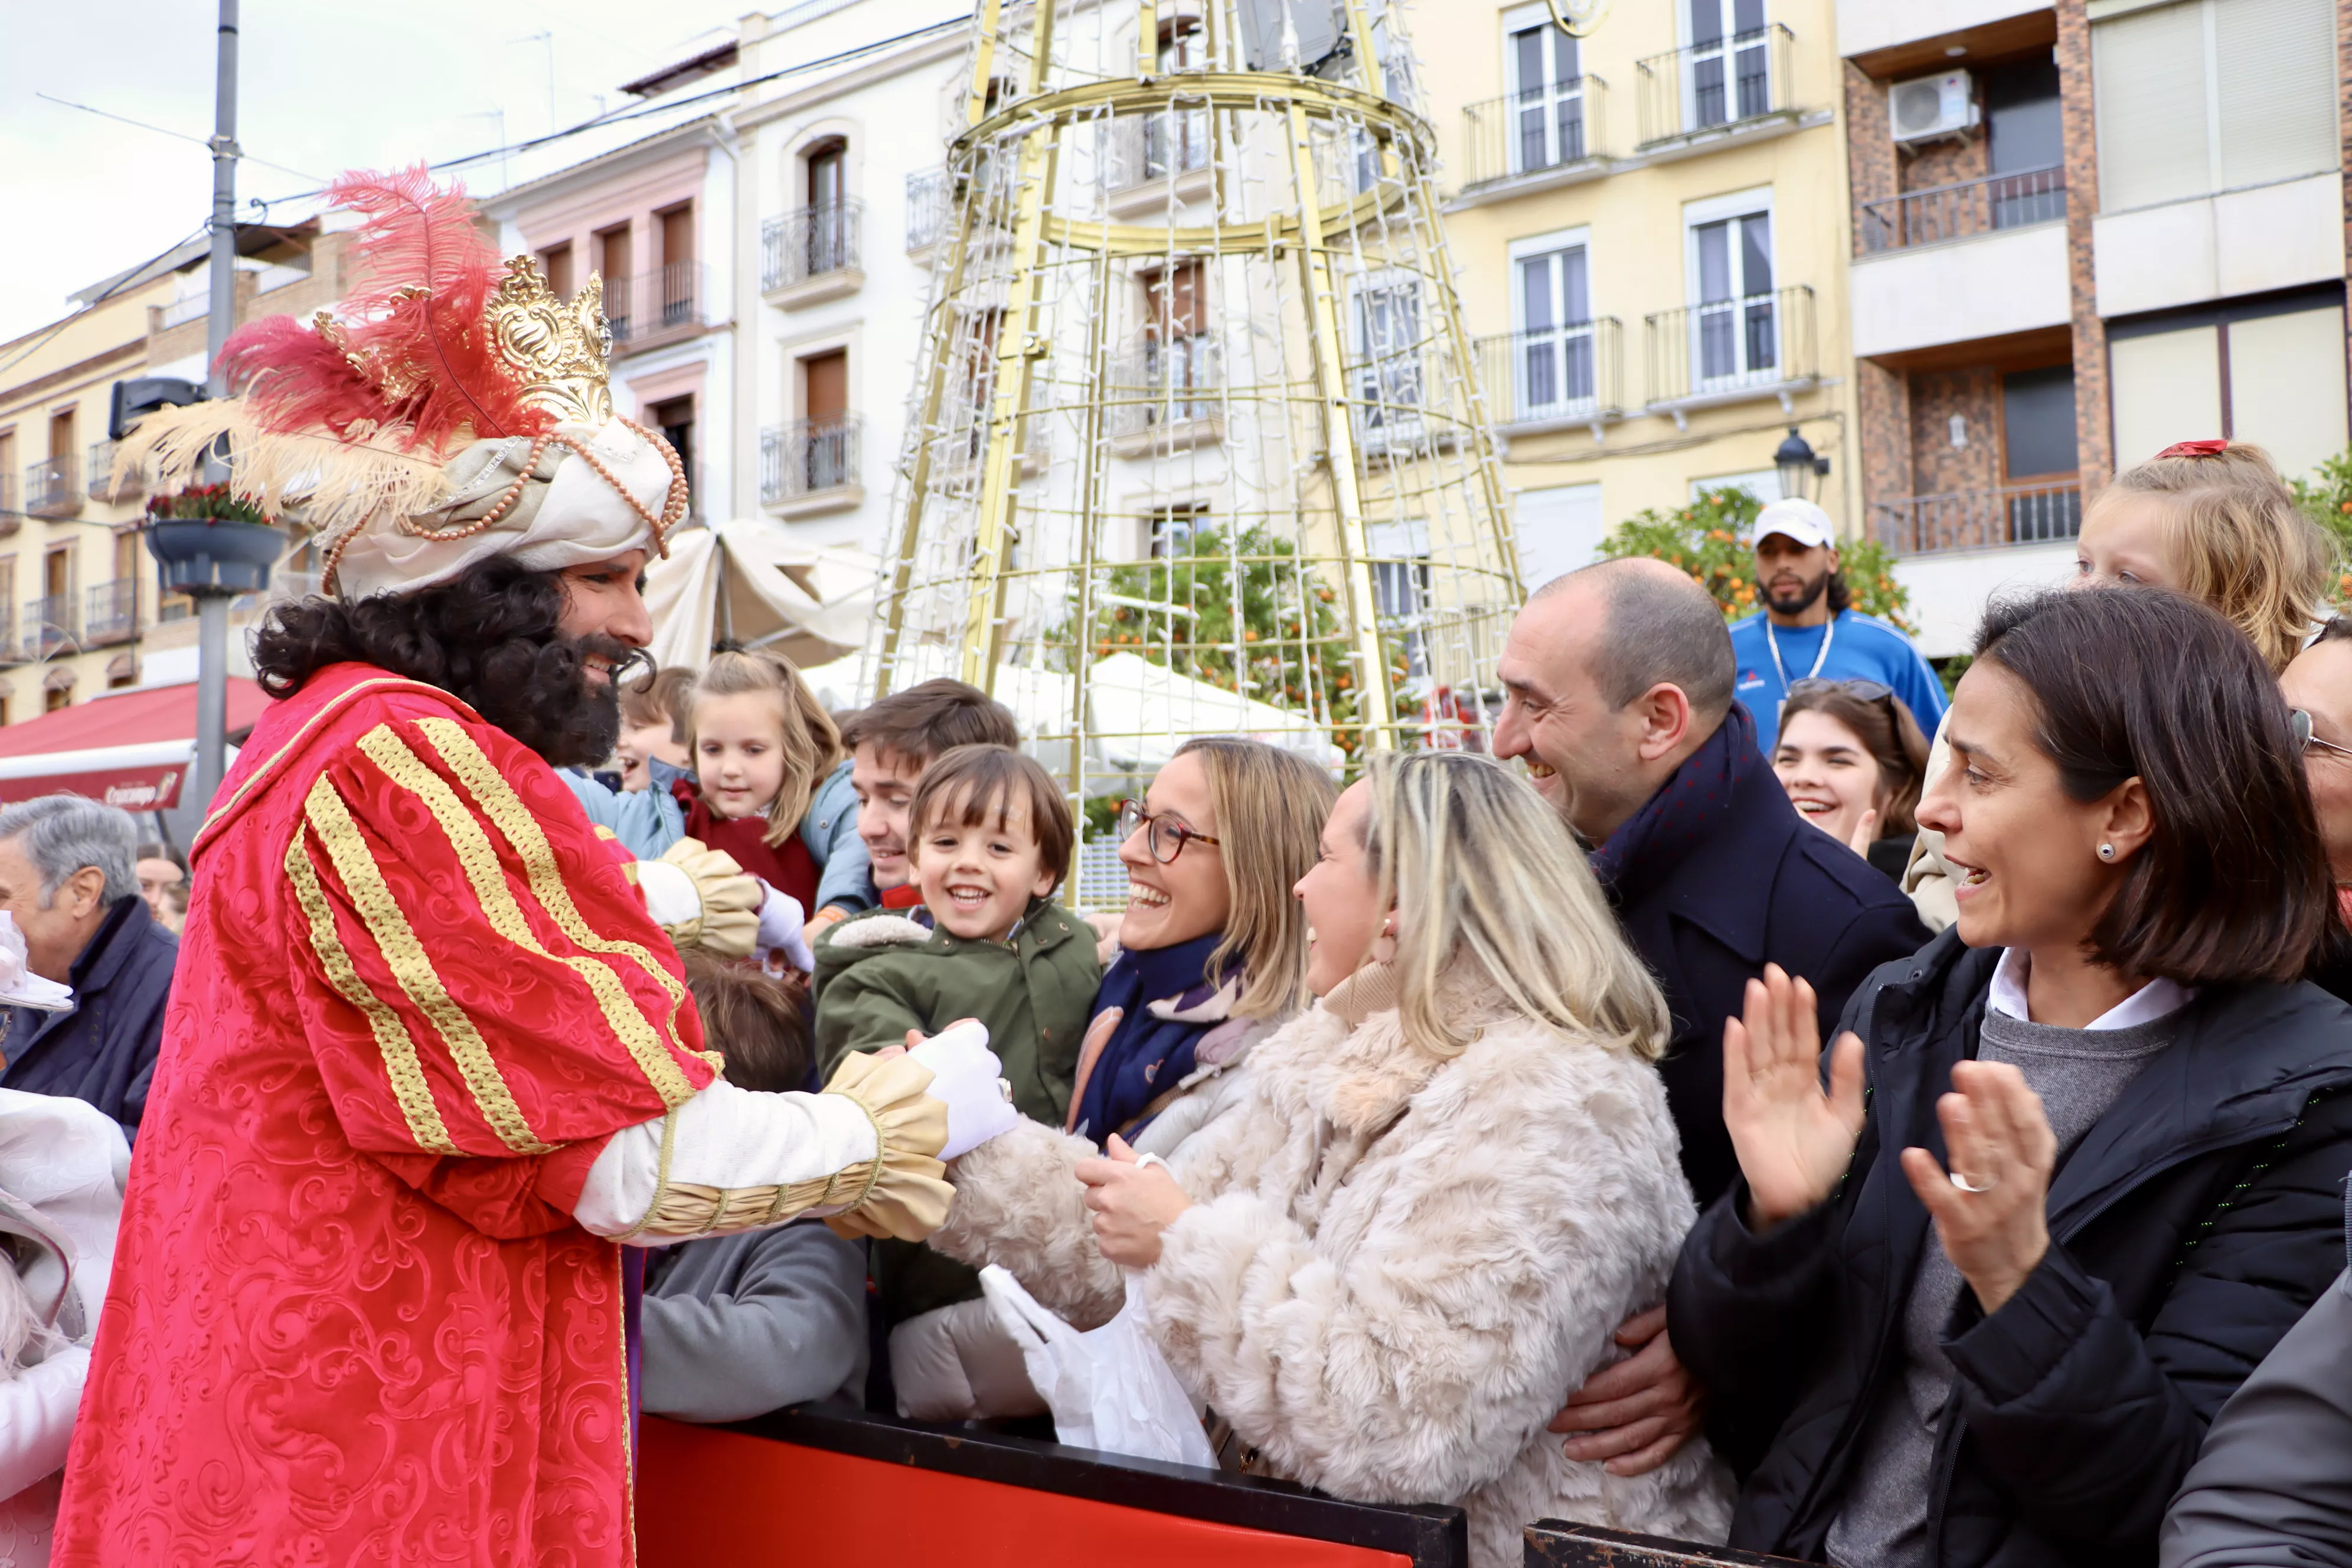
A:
{"x": 566, "y": 516}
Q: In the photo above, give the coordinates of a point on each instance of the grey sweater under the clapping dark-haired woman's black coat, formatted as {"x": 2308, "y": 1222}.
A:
{"x": 2078, "y": 1073}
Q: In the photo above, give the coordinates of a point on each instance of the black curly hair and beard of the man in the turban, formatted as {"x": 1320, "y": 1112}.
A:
{"x": 488, "y": 636}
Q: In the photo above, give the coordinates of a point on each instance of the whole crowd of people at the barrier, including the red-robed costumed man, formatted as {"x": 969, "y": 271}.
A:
{"x": 1758, "y": 1104}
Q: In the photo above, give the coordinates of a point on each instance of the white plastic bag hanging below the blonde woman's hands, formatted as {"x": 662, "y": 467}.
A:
{"x": 1109, "y": 1388}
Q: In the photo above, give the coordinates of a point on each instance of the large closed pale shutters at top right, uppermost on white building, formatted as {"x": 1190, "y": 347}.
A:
{"x": 2212, "y": 95}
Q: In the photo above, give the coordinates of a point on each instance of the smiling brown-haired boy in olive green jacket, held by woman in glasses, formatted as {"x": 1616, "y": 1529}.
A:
{"x": 989, "y": 840}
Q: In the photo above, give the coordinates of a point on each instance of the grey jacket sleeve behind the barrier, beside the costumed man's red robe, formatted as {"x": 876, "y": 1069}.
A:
{"x": 737, "y": 1327}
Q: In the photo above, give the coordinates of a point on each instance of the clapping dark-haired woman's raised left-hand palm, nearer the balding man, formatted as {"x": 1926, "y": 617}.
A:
{"x": 1793, "y": 1139}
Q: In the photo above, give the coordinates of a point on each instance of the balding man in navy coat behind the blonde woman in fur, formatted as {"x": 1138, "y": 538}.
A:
{"x": 1619, "y": 697}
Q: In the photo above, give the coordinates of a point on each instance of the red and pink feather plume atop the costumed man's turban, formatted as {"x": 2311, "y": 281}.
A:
{"x": 417, "y": 354}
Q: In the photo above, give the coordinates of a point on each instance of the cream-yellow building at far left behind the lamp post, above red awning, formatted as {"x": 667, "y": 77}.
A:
{"x": 79, "y": 594}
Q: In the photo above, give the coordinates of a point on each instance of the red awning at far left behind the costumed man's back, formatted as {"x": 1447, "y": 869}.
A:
{"x": 126, "y": 749}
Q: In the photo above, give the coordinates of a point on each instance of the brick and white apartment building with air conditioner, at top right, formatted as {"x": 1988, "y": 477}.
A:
{"x": 2083, "y": 232}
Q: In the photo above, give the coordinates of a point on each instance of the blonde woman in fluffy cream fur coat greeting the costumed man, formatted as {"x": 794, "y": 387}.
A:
{"x": 1448, "y": 1184}
